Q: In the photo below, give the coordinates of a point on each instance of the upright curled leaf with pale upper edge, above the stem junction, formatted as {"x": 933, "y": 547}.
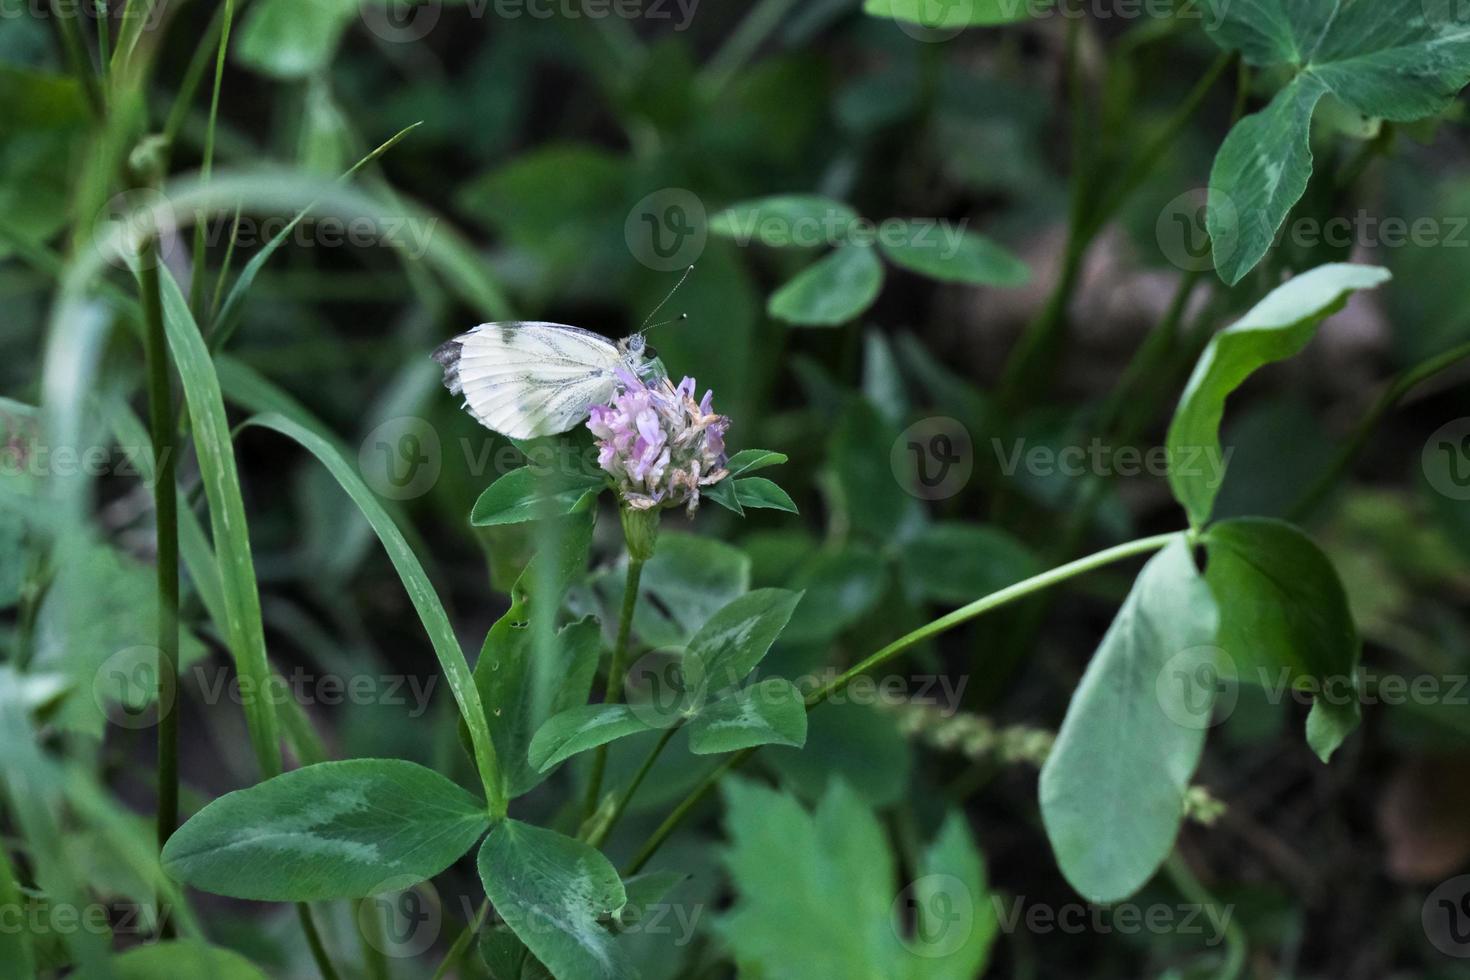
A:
{"x": 1275, "y": 330}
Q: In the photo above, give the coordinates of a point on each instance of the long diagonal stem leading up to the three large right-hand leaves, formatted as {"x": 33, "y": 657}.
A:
{"x": 980, "y": 608}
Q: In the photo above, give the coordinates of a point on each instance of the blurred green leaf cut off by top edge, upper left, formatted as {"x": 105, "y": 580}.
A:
{"x": 293, "y": 39}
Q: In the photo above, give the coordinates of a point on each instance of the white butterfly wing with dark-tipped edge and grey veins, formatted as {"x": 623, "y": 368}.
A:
{"x": 530, "y": 378}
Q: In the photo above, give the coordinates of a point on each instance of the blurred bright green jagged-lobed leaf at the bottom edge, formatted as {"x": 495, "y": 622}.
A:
{"x": 834, "y": 875}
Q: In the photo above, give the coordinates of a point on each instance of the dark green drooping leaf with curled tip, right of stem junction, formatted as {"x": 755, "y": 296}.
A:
{"x": 1286, "y": 621}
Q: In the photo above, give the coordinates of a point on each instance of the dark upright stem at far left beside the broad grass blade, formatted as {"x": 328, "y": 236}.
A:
{"x": 165, "y": 496}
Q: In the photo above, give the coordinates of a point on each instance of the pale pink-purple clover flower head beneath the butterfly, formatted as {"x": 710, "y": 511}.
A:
{"x": 659, "y": 443}
